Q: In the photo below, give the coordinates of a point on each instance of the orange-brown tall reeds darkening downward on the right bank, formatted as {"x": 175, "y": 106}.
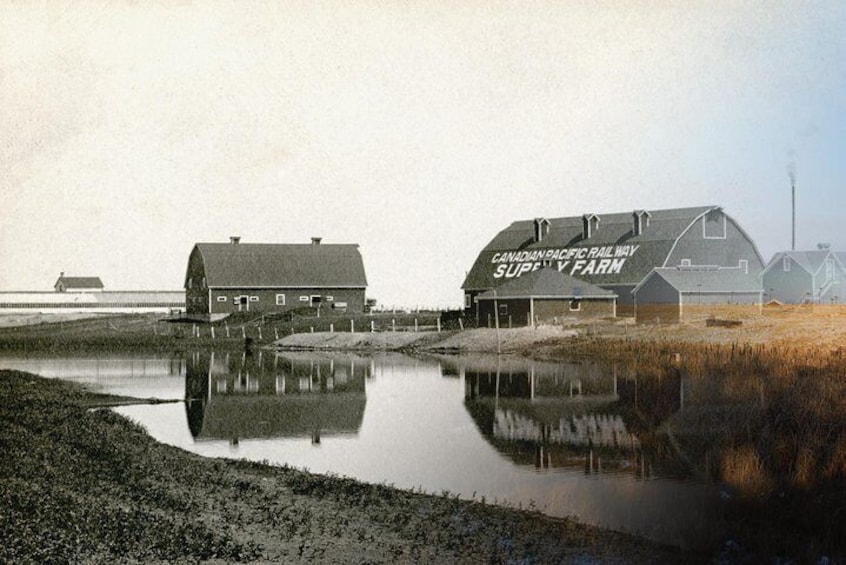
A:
{"x": 767, "y": 421}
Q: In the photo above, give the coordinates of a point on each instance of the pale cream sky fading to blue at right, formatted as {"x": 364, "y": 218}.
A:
{"x": 417, "y": 129}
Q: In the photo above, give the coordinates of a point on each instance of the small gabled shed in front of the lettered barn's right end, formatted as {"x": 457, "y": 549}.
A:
{"x": 675, "y": 294}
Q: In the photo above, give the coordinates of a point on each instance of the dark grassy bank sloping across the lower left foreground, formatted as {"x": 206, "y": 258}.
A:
{"x": 79, "y": 483}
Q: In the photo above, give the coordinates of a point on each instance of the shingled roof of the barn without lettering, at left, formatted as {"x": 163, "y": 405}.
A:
{"x": 273, "y": 265}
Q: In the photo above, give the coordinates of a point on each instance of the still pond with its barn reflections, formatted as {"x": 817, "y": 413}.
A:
{"x": 569, "y": 439}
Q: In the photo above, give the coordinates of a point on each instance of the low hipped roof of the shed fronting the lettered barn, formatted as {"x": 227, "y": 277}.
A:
{"x": 547, "y": 283}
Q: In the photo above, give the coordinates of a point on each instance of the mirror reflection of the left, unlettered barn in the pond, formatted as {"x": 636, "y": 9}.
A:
{"x": 235, "y": 396}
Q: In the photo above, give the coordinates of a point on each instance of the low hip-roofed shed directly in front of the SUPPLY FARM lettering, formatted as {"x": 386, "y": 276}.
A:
{"x": 543, "y": 296}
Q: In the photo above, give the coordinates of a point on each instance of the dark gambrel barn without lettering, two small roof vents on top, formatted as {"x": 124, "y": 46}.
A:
{"x": 223, "y": 278}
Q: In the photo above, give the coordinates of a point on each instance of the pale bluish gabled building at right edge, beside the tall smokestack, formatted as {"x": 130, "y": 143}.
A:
{"x": 800, "y": 277}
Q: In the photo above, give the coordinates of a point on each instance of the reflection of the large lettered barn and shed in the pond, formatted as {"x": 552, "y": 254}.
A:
{"x": 567, "y": 414}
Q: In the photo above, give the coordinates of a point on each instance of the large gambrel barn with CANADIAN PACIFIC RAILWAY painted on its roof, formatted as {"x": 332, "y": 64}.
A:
{"x": 614, "y": 251}
